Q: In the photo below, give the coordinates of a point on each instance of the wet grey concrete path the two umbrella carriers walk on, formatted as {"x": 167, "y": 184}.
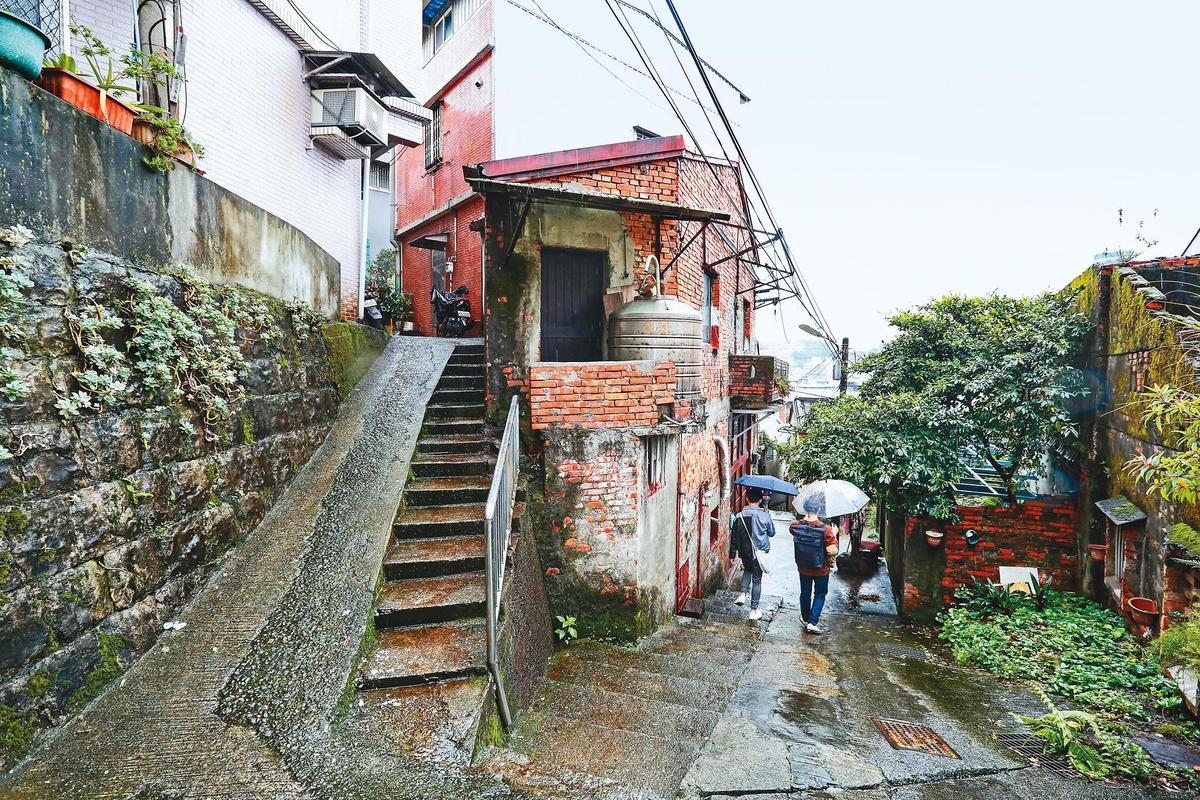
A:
{"x": 801, "y": 723}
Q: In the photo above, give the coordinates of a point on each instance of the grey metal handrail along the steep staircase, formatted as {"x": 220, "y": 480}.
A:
{"x": 497, "y": 531}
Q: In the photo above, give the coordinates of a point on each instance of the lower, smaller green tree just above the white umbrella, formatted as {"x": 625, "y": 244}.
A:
{"x": 890, "y": 446}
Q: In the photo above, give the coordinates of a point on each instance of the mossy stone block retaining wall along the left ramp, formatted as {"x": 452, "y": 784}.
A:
{"x": 112, "y": 519}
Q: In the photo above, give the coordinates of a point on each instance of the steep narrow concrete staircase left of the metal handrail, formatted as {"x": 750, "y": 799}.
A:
{"x": 427, "y": 678}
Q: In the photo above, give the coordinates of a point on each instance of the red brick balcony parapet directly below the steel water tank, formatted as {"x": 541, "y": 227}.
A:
{"x": 599, "y": 395}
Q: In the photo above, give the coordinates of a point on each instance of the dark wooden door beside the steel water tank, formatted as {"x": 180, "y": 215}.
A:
{"x": 572, "y": 305}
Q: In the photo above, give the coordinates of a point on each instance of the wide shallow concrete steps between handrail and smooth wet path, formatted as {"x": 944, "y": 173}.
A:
{"x": 617, "y": 723}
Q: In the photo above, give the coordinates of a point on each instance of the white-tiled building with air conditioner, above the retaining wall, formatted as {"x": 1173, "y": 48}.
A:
{"x": 253, "y": 71}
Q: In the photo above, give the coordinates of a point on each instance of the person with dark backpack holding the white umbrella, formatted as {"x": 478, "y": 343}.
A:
{"x": 815, "y": 544}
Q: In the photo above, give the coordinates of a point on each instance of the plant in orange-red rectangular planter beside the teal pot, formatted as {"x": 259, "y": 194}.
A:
{"x": 100, "y": 99}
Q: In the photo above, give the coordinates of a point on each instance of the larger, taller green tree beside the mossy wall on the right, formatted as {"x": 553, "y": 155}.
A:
{"x": 994, "y": 374}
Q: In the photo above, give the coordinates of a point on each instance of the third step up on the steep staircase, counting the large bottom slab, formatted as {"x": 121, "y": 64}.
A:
{"x": 442, "y": 599}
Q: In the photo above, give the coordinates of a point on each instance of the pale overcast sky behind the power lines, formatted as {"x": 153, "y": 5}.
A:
{"x": 908, "y": 149}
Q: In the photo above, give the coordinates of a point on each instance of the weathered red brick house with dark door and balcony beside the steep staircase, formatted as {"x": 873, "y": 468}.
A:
{"x": 634, "y": 464}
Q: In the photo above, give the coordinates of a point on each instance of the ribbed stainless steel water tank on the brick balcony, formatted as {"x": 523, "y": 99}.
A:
{"x": 661, "y": 329}
